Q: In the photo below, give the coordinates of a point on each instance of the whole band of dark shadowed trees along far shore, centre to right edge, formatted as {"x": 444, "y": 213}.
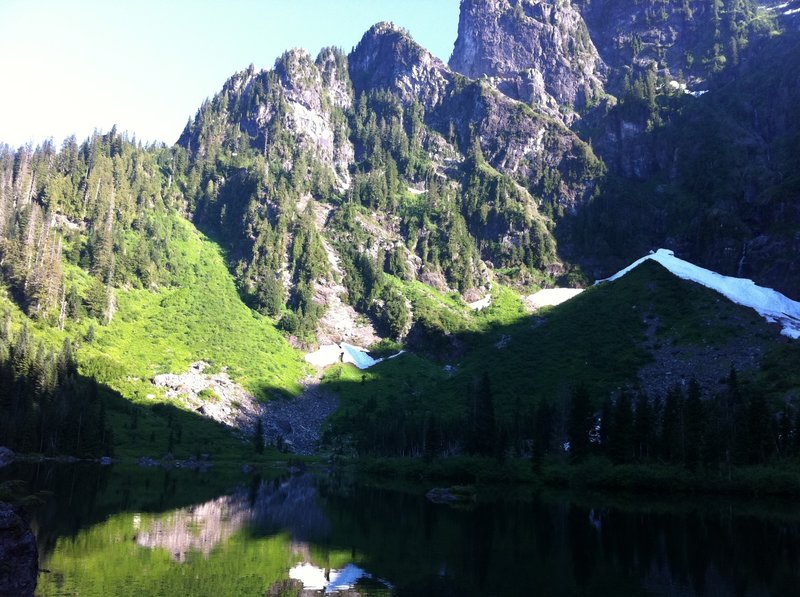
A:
{"x": 687, "y": 427}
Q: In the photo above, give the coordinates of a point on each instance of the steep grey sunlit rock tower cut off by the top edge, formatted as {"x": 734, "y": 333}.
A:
{"x": 532, "y": 50}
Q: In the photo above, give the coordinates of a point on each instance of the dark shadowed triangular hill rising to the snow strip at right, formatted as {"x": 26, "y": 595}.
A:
{"x": 648, "y": 333}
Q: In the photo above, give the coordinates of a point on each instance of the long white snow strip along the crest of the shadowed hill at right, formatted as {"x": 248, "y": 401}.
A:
{"x": 770, "y": 304}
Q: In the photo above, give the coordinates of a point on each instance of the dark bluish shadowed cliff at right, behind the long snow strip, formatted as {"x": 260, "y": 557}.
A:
{"x": 713, "y": 179}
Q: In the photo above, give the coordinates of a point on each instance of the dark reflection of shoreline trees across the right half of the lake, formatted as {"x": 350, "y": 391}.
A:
{"x": 558, "y": 547}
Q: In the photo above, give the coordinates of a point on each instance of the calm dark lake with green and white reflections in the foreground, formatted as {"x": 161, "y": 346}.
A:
{"x": 151, "y": 532}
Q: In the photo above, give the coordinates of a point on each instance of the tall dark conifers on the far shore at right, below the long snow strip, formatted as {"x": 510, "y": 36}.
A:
{"x": 688, "y": 427}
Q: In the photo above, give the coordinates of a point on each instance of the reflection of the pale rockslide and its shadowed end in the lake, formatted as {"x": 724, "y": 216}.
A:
{"x": 287, "y": 505}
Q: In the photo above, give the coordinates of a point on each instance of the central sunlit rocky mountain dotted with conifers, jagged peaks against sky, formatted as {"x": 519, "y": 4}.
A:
{"x": 443, "y": 174}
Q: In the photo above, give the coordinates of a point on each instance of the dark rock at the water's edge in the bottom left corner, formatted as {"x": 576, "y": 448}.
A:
{"x": 19, "y": 557}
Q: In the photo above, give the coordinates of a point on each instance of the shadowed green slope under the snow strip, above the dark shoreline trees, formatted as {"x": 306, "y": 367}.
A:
{"x": 600, "y": 339}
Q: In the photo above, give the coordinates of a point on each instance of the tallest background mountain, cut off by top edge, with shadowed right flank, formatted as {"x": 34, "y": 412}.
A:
{"x": 681, "y": 82}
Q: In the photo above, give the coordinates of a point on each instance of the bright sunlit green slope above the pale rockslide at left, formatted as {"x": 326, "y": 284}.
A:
{"x": 203, "y": 319}
